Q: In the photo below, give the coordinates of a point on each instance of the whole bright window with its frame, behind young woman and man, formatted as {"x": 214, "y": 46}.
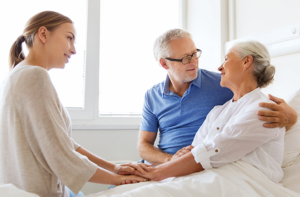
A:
{"x": 114, "y": 64}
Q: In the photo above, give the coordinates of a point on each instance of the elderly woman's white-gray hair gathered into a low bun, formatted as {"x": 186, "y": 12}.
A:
{"x": 263, "y": 70}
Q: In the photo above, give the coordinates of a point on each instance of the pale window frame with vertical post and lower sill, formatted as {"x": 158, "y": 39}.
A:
{"x": 88, "y": 117}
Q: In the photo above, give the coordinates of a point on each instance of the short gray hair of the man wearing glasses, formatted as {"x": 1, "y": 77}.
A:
{"x": 161, "y": 45}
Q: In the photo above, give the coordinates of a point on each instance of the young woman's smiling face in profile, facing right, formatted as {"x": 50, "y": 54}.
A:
{"x": 60, "y": 45}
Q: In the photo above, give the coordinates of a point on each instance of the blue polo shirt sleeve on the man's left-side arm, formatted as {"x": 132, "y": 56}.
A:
{"x": 149, "y": 120}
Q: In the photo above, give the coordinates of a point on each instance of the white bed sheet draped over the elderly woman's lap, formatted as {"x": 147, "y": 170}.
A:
{"x": 237, "y": 179}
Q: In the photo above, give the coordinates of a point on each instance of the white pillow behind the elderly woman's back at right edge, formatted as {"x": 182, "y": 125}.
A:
{"x": 292, "y": 137}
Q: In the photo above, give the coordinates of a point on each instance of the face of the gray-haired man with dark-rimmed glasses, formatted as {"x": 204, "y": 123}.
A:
{"x": 180, "y": 48}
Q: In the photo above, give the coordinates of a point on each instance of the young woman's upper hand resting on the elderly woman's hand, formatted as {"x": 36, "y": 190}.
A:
{"x": 130, "y": 168}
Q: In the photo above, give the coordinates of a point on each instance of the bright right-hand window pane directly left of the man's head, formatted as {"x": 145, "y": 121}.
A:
{"x": 128, "y": 30}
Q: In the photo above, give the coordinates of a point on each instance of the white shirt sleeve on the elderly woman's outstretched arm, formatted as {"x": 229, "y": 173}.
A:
{"x": 234, "y": 142}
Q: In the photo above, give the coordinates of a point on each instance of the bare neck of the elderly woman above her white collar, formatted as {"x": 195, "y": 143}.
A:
{"x": 243, "y": 88}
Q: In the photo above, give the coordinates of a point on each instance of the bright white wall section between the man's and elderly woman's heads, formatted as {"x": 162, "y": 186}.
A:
{"x": 207, "y": 22}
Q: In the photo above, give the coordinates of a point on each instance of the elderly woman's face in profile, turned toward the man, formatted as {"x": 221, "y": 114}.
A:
{"x": 231, "y": 70}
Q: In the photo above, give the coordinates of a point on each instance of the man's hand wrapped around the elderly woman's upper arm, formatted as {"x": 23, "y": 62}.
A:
{"x": 281, "y": 116}
